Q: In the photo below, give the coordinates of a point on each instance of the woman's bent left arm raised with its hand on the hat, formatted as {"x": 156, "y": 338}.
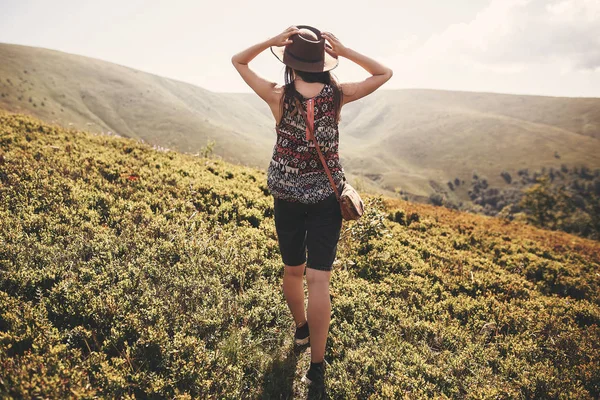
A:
{"x": 263, "y": 87}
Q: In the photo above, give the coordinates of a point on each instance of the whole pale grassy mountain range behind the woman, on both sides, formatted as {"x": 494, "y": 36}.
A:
{"x": 413, "y": 141}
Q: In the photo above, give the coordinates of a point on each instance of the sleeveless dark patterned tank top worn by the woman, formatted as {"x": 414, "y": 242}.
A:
{"x": 295, "y": 171}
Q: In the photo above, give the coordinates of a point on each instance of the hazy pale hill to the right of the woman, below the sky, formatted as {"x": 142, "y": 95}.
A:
{"x": 414, "y": 136}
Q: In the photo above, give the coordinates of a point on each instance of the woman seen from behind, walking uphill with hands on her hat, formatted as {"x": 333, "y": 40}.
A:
{"x": 306, "y": 210}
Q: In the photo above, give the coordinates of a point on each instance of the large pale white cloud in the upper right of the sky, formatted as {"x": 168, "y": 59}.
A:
{"x": 511, "y": 35}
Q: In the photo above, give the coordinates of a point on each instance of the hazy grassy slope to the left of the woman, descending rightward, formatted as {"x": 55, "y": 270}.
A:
{"x": 96, "y": 96}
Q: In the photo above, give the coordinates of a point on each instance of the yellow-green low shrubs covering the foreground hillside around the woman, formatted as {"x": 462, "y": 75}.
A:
{"x": 127, "y": 272}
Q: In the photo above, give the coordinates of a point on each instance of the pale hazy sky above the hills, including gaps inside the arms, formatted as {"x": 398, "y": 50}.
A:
{"x": 538, "y": 47}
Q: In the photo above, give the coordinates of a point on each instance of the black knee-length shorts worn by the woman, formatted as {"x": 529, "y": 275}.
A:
{"x": 313, "y": 227}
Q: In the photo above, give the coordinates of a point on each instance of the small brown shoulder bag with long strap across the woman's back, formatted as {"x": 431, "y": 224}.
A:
{"x": 351, "y": 204}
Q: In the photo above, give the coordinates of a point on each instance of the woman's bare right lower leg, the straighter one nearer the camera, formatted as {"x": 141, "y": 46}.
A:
{"x": 319, "y": 311}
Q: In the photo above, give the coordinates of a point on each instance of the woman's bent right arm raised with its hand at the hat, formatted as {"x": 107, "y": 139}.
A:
{"x": 380, "y": 74}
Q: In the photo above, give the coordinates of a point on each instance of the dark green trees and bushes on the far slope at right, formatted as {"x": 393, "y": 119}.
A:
{"x": 566, "y": 199}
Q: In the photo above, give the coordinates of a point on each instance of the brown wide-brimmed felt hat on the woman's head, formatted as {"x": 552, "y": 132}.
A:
{"x": 305, "y": 53}
